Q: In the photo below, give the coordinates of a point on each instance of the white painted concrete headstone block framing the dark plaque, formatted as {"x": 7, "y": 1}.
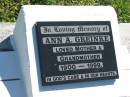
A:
{"x": 24, "y": 33}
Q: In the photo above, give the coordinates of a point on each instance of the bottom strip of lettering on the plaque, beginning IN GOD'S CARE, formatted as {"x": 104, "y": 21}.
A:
{"x": 81, "y": 76}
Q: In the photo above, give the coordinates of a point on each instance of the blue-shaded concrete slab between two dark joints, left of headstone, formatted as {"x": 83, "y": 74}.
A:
{"x": 9, "y": 66}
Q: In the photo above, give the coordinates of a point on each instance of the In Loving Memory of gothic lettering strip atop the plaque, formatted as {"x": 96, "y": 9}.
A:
{"x": 74, "y": 29}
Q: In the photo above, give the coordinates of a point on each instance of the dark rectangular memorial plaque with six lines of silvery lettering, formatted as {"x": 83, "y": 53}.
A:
{"x": 76, "y": 51}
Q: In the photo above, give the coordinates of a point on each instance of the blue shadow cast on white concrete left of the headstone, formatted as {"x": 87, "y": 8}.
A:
{"x": 10, "y": 73}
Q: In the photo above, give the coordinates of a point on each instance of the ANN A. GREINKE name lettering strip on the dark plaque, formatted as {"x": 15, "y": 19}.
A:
{"x": 76, "y": 39}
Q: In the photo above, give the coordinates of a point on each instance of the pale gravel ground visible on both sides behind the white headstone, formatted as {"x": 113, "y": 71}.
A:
{"x": 6, "y": 29}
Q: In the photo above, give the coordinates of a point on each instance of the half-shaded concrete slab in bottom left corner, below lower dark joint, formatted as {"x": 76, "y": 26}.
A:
{"x": 12, "y": 88}
